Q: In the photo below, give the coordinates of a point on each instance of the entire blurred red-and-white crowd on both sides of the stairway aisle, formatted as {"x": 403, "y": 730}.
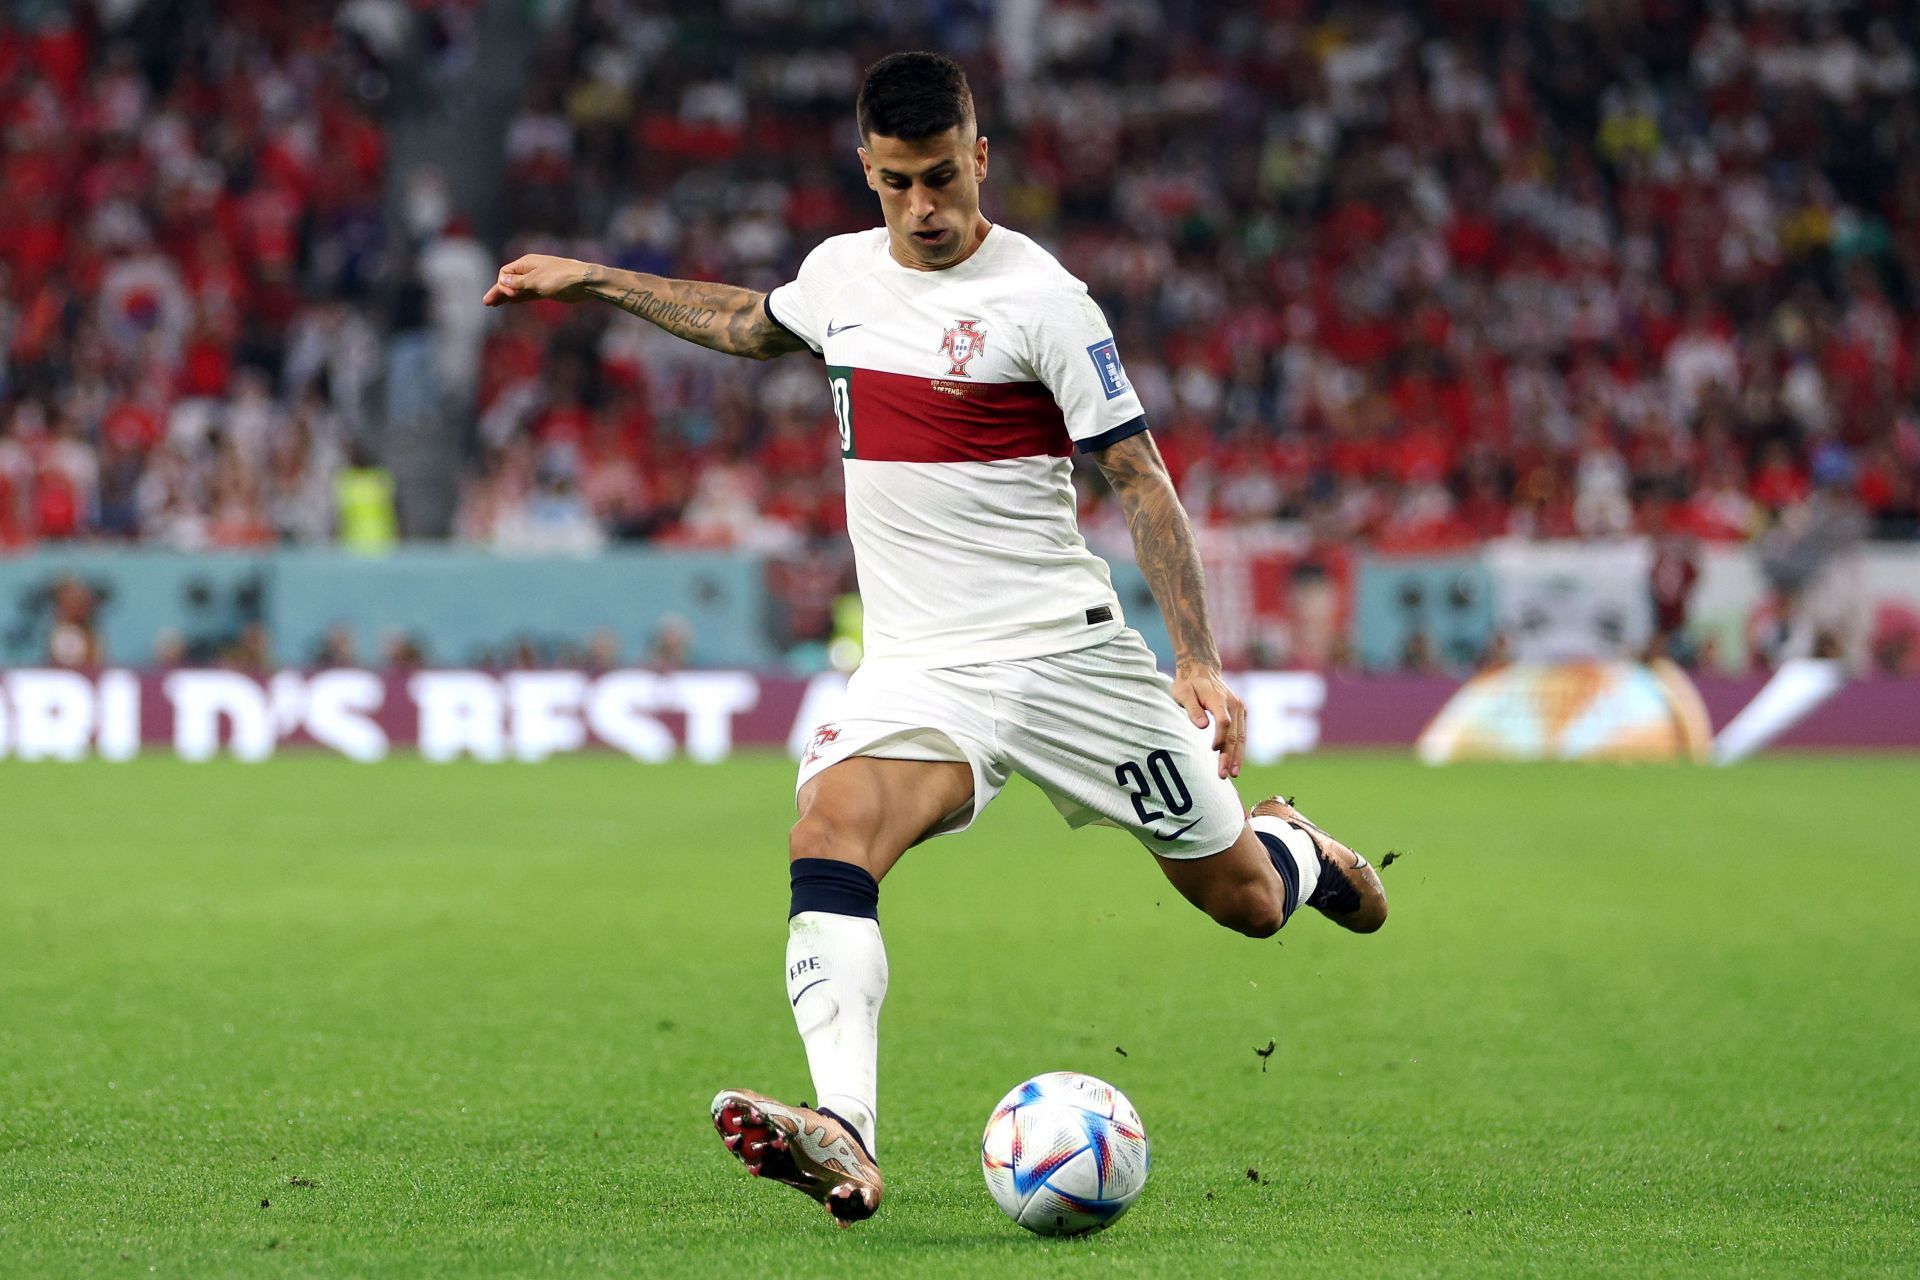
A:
{"x": 1406, "y": 273}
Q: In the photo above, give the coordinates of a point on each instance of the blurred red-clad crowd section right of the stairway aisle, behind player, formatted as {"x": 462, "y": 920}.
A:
{"x": 1412, "y": 273}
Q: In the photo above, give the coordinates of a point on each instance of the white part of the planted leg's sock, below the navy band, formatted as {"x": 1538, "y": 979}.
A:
{"x": 836, "y": 982}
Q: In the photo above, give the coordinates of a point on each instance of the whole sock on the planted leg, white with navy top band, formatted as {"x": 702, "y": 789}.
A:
{"x": 836, "y": 982}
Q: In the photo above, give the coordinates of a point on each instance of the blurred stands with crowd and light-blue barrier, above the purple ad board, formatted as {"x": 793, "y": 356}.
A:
{"x": 1393, "y": 281}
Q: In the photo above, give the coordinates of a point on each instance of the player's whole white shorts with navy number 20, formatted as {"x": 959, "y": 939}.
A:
{"x": 1095, "y": 728}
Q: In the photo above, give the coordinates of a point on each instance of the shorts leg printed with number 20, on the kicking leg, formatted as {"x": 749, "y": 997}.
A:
{"x": 1101, "y": 734}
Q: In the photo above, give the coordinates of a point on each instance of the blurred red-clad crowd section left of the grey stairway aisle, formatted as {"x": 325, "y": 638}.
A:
{"x": 191, "y": 270}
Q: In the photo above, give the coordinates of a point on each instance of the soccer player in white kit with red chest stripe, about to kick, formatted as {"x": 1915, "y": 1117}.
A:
{"x": 967, "y": 367}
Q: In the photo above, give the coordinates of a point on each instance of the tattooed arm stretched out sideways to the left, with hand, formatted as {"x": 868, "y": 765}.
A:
{"x": 715, "y": 316}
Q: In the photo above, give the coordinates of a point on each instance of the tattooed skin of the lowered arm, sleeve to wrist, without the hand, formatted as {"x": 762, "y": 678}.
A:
{"x": 1164, "y": 546}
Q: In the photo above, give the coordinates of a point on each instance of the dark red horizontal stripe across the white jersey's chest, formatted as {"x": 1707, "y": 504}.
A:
{"x": 905, "y": 419}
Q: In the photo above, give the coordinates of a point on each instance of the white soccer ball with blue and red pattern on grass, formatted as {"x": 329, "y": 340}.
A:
{"x": 1065, "y": 1154}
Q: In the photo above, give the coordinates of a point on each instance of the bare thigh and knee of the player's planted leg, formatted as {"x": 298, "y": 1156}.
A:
{"x": 871, "y": 811}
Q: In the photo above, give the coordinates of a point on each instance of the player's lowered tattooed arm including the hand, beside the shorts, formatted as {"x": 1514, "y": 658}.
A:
{"x": 1164, "y": 546}
